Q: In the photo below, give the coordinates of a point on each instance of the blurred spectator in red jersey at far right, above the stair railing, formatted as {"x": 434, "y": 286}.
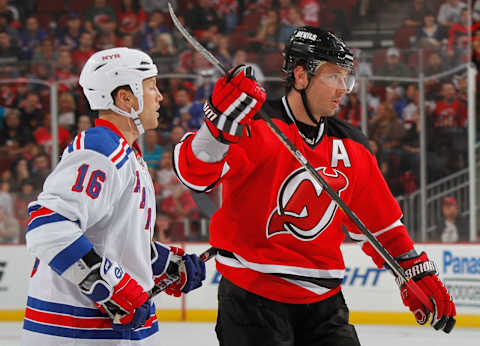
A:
{"x": 449, "y": 132}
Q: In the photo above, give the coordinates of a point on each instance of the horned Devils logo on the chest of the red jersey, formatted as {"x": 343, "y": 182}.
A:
{"x": 303, "y": 208}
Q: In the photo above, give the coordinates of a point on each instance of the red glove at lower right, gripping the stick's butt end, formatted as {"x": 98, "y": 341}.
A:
{"x": 424, "y": 273}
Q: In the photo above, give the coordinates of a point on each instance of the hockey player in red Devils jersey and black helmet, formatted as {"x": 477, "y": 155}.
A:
{"x": 277, "y": 232}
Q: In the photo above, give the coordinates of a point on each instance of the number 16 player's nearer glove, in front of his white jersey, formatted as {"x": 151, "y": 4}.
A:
{"x": 113, "y": 290}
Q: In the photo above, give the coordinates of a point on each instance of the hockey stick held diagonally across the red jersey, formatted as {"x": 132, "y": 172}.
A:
{"x": 396, "y": 268}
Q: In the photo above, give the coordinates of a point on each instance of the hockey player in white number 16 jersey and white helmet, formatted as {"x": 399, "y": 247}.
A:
{"x": 91, "y": 226}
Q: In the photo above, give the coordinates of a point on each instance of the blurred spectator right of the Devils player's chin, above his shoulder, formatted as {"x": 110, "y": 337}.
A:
{"x": 387, "y": 128}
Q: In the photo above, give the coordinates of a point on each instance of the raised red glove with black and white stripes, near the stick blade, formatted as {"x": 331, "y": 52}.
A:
{"x": 236, "y": 98}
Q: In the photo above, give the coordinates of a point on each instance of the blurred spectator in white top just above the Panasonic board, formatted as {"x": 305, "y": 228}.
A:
{"x": 452, "y": 227}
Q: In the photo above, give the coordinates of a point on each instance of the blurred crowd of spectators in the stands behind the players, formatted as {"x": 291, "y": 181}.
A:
{"x": 45, "y": 41}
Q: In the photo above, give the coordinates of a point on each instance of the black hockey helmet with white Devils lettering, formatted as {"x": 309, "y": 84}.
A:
{"x": 311, "y": 46}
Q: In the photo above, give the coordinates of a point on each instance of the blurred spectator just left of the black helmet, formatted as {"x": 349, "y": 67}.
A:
{"x": 267, "y": 36}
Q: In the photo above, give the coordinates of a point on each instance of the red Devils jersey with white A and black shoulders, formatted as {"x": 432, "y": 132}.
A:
{"x": 281, "y": 231}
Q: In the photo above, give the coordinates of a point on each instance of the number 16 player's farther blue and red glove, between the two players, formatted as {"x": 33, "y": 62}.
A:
{"x": 172, "y": 263}
